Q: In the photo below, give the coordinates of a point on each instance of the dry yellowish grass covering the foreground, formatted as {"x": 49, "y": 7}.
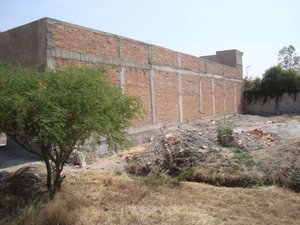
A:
{"x": 97, "y": 198}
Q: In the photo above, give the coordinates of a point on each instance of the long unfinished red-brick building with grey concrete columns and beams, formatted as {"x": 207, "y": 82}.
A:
{"x": 175, "y": 87}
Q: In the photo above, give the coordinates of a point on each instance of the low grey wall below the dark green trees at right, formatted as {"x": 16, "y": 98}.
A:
{"x": 286, "y": 105}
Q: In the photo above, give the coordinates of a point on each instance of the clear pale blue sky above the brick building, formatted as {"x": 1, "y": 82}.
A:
{"x": 259, "y": 28}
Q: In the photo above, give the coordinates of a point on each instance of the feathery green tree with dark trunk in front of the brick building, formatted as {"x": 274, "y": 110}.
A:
{"x": 50, "y": 113}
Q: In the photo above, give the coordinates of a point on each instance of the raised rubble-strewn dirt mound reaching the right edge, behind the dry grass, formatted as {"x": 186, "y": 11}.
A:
{"x": 258, "y": 146}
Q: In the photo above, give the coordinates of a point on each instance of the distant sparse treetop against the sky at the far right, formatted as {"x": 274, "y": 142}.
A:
{"x": 288, "y": 58}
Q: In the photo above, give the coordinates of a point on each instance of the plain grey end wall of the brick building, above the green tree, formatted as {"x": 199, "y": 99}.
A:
{"x": 25, "y": 44}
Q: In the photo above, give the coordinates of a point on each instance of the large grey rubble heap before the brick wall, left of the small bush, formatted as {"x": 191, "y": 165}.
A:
{"x": 175, "y": 150}
